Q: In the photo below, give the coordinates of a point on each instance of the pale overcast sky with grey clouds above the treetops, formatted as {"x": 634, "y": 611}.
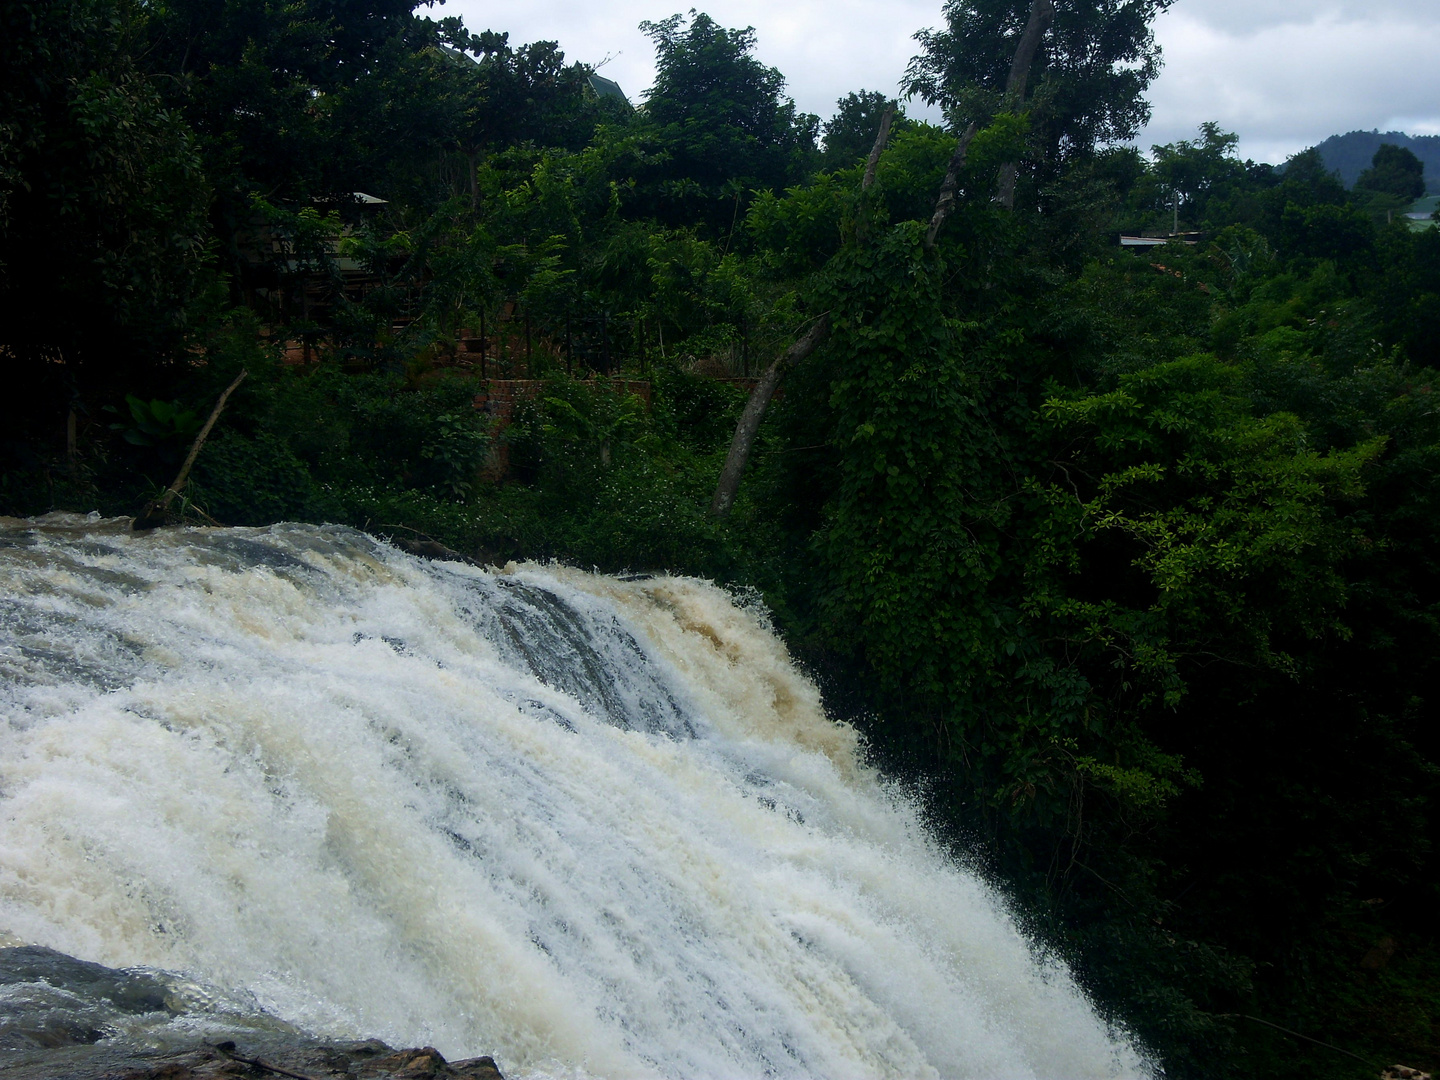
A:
{"x": 1282, "y": 74}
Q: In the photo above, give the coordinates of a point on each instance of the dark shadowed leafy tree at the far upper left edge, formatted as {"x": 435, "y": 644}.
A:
{"x": 103, "y": 207}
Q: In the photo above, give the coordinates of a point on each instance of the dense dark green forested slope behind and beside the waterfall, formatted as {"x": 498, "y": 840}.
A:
{"x": 1127, "y": 557}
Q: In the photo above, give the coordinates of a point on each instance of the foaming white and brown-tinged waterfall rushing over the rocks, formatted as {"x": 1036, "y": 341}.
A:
{"x": 594, "y": 826}
